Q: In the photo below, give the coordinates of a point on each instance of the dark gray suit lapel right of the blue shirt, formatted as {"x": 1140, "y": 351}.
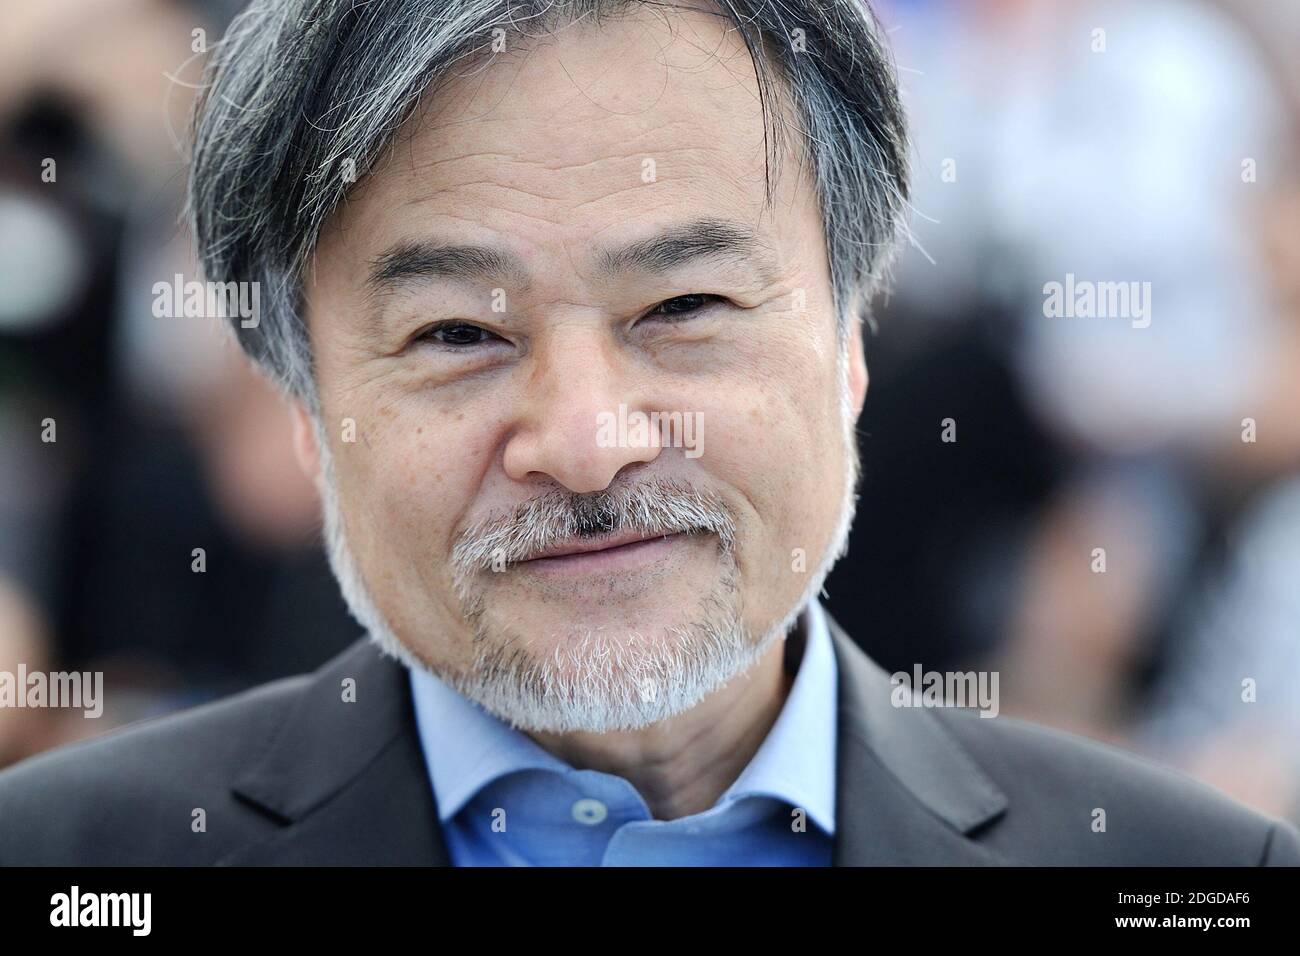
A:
{"x": 907, "y": 793}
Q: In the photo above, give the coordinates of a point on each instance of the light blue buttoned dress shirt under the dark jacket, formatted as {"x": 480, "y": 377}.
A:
{"x": 506, "y": 802}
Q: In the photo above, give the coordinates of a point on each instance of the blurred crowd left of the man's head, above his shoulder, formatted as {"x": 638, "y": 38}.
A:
{"x": 154, "y": 524}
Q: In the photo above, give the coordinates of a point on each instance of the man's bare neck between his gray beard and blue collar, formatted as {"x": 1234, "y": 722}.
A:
{"x": 682, "y": 765}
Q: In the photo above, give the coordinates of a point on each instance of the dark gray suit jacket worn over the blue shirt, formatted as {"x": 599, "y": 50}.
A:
{"x": 289, "y": 773}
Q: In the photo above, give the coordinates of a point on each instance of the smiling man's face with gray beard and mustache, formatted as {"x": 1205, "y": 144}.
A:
{"x": 489, "y": 392}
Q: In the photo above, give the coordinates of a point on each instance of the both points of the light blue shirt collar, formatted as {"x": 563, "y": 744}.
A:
{"x": 466, "y": 749}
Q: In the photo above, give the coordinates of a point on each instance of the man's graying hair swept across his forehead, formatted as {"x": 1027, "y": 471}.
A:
{"x": 297, "y": 89}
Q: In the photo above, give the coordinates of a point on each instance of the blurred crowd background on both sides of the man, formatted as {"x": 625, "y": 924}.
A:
{"x": 1108, "y": 516}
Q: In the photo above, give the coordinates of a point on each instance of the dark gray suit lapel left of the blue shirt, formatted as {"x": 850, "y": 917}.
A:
{"x": 348, "y": 778}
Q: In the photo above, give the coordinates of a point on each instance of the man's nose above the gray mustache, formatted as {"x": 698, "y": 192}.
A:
{"x": 575, "y": 397}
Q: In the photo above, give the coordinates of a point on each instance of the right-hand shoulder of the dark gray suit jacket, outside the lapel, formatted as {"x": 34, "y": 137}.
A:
{"x": 1073, "y": 801}
